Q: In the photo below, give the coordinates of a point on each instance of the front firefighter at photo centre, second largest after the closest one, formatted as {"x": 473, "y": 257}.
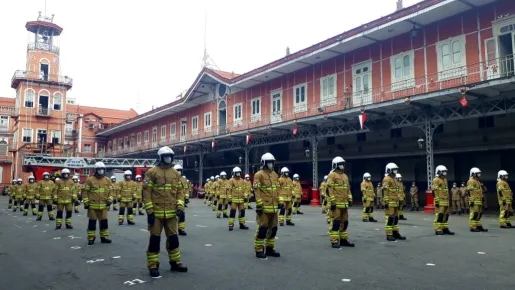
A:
{"x": 267, "y": 205}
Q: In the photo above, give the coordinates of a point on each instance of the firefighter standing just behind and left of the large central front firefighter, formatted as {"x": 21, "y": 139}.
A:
{"x": 236, "y": 199}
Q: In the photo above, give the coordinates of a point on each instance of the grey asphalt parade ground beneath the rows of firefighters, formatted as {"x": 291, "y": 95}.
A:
{"x": 33, "y": 255}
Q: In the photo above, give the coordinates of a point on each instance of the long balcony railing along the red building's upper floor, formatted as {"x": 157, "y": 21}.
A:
{"x": 499, "y": 68}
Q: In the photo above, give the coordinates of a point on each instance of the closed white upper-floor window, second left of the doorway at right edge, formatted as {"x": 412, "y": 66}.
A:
{"x": 407, "y": 77}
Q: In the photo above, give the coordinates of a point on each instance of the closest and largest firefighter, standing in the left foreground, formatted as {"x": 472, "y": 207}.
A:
{"x": 162, "y": 196}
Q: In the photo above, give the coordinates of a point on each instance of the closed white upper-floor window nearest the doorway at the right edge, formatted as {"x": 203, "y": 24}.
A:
{"x": 454, "y": 69}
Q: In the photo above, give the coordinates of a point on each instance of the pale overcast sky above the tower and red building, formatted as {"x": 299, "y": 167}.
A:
{"x": 142, "y": 54}
